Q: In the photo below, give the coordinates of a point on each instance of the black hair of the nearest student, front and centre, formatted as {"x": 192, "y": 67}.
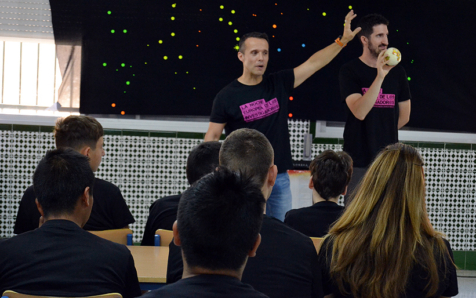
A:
{"x": 218, "y": 220}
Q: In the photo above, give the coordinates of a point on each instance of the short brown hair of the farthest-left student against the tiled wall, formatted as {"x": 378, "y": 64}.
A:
{"x": 77, "y": 131}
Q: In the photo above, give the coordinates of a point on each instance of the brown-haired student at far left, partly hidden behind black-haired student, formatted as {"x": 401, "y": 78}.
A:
{"x": 85, "y": 135}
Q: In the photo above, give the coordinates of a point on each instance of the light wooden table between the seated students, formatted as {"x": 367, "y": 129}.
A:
{"x": 151, "y": 265}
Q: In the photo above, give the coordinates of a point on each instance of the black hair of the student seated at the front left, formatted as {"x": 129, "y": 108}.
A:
{"x": 60, "y": 179}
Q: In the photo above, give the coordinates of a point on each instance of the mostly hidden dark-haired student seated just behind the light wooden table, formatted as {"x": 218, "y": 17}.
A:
{"x": 202, "y": 160}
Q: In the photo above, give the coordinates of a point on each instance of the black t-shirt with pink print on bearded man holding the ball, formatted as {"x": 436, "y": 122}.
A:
{"x": 364, "y": 139}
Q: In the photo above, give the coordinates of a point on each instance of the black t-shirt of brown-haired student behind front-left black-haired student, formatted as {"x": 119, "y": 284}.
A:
{"x": 109, "y": 210}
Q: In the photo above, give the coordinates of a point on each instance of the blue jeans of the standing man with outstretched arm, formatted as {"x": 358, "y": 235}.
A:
{"x": 281, "y": 199}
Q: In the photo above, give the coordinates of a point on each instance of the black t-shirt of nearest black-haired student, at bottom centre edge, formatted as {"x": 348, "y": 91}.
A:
{"x": 213, "y": 286}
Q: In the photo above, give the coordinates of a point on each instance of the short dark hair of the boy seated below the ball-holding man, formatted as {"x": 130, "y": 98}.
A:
{"x": 331, "y": 172}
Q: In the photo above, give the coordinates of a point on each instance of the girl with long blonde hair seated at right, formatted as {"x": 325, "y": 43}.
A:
{"x": 384, "y": 244}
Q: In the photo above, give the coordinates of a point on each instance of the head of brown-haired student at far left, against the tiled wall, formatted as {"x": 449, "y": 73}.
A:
{"x": 82, "y": 133}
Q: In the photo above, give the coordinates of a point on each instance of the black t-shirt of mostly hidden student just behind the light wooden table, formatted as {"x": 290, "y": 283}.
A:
{"x": 162, "y": 215}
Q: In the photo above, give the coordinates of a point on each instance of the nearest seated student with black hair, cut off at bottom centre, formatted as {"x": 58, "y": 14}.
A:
{"x": 218, "y": 224}
